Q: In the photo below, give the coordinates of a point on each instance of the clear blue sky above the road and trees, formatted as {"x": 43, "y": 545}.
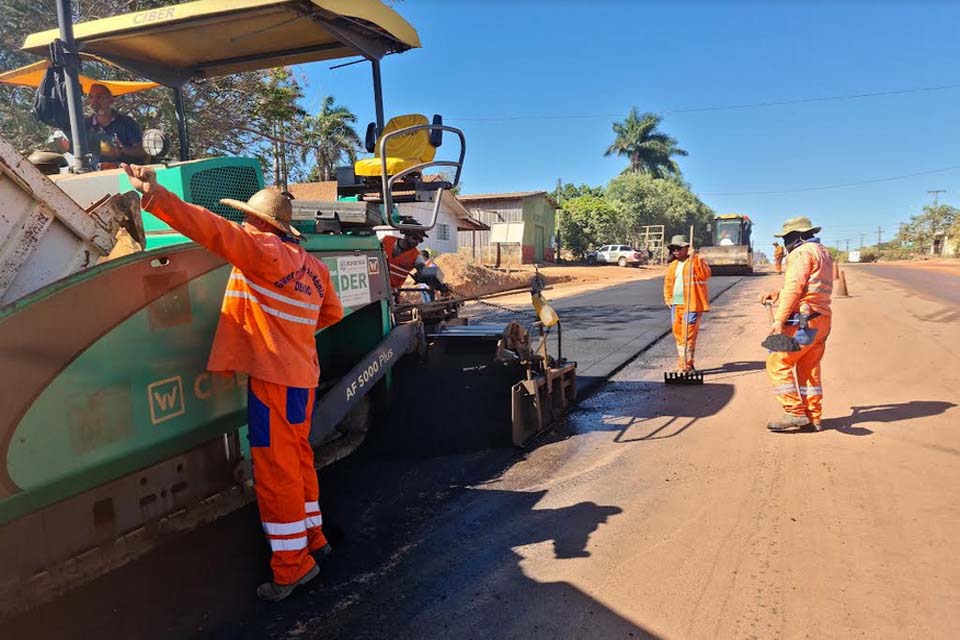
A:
{"x": 536, "y": 85}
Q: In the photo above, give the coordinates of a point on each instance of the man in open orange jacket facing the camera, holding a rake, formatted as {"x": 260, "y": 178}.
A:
{"x": 687, "y": 304}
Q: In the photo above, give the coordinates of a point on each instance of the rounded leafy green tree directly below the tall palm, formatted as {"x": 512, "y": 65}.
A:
{"x": 644, "y": 200}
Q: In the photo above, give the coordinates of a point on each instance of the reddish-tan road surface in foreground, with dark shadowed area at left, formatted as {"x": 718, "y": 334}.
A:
{"x": 667, "y": 512}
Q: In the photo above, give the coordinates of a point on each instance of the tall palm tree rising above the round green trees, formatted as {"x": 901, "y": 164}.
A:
{"x": 650, "y": 151}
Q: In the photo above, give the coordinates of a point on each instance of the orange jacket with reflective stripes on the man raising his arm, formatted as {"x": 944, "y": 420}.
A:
{"x": 277, "y": 298}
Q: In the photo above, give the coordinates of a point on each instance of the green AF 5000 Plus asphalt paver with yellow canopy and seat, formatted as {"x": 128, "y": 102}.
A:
{"x": 113, "y": 435}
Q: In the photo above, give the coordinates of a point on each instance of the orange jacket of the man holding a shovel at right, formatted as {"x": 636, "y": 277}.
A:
{"x": 808, "y": 279}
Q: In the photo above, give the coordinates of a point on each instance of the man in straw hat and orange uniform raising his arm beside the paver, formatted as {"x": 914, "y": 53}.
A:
{"x": 277, "y": 298}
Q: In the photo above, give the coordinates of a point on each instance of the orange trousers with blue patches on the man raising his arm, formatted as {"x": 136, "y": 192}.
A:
{"x": 284, "y": 477}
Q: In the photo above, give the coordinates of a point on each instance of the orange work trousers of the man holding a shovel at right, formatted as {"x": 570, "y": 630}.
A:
{"x": 801, "y": 395}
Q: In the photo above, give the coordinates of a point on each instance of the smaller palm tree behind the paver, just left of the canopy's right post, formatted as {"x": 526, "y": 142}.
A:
{"x": 330, "y": 136}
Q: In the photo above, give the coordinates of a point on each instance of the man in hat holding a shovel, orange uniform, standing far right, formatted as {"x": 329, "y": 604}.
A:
{"x": 803, "y": 311}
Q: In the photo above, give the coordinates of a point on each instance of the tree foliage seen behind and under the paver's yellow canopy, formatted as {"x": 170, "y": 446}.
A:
{"x": 254, "y": 114}
